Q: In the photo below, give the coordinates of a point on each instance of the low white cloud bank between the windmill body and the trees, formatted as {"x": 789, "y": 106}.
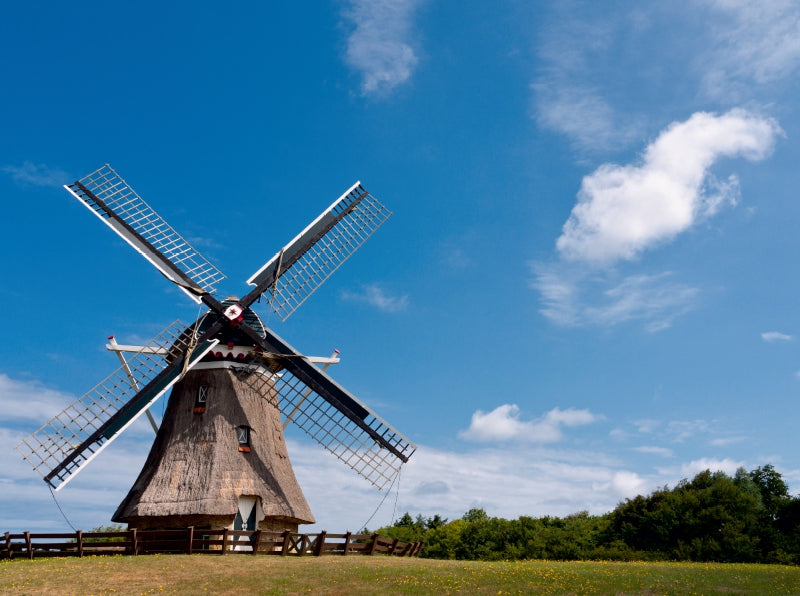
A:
{"x": 535, "y": 481}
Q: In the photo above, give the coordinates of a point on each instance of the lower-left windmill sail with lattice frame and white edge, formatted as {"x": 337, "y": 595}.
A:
{"x": 75, "y": 436}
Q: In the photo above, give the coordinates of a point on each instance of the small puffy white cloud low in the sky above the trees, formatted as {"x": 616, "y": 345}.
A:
{"x": 504, "y": 424}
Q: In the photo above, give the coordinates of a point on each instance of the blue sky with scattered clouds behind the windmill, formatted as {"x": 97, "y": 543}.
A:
{"x": 587, "y": 288}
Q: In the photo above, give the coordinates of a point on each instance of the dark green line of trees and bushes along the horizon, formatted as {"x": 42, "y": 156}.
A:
{"x": 747, "y": 517}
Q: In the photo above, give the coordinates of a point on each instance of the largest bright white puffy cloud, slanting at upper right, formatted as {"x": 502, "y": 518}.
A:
{"x": 624, "y": 210}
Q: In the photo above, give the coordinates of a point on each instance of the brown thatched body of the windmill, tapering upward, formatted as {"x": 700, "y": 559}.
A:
{"x": 195, "y": 472}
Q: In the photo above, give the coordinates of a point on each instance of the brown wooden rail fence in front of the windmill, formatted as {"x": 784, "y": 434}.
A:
{"x": 197, "y": 541}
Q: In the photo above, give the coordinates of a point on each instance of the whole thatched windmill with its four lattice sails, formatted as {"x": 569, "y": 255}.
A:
{"x": 219, "y": 458}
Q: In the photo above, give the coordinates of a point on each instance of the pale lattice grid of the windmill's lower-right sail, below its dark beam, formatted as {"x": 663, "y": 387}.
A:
{"x": 327, "y": 425}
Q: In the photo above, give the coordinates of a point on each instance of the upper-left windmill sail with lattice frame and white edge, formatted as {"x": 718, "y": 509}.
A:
{"x": 109, "y": 197}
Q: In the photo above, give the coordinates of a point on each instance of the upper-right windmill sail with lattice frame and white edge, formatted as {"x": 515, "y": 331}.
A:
{"x": 314, "y": 254}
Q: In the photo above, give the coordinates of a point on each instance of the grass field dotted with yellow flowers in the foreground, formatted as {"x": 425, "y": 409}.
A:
{"x": 235, "y": 574}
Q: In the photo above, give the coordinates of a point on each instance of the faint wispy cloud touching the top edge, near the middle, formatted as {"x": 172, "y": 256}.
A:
{"x": 380, "y": 46}
